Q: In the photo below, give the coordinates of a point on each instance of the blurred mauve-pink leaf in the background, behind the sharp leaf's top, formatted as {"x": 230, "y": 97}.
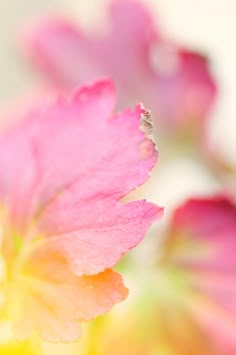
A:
{"x": 172, "y": 81}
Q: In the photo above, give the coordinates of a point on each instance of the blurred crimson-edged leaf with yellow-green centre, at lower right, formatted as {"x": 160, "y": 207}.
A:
{"x": 186, "y": 303}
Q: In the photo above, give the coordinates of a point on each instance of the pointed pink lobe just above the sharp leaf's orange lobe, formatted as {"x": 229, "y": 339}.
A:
{"x": 96, "y": 239}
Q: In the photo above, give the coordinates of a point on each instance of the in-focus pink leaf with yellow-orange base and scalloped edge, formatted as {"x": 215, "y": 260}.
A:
{"x": 64, "y": 169}
